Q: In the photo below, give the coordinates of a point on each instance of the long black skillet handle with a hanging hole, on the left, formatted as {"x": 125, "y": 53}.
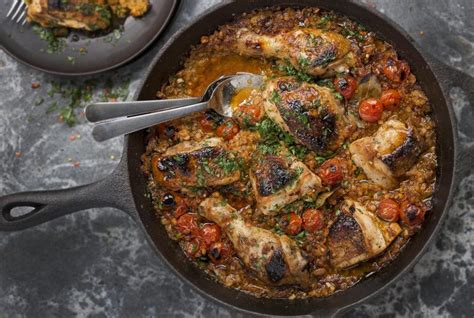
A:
{"x": 44, "y": 206}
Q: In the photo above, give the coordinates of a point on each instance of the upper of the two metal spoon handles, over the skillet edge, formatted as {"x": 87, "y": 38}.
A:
{"x": 102, "y": 111}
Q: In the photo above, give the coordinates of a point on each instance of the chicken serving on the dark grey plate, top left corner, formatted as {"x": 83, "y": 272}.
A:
{"x": 89, "y": 15}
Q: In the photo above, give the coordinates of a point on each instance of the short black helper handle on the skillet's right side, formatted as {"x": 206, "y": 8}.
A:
{"x": 464, "y": 110}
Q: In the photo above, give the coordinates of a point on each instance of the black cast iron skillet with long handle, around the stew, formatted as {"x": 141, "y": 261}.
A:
{"x": 125, "y": 188}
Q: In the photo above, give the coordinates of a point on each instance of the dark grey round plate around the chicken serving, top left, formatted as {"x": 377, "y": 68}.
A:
{"x": 80, "y": 53}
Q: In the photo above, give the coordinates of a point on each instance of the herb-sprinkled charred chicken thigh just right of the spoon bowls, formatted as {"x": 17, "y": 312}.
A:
{"x": 310, "y": 113}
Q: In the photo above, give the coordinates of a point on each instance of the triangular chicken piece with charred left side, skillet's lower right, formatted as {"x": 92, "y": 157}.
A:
{"x": 358, "y": 235}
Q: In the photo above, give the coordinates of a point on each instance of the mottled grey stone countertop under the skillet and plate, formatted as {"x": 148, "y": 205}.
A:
{"x": 97, "y": 263}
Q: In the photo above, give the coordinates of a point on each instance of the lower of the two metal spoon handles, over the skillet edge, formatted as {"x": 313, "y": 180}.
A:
{"x": 121, "y": 126}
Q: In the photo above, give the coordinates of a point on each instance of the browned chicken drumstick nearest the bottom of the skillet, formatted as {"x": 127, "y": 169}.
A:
{"x": 274, "y": 259}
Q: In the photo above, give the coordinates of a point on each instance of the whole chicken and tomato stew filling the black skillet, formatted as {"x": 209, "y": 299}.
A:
{"x": 322, "y": 175}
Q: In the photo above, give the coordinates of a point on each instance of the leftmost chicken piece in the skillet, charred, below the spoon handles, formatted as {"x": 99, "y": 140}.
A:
{"x": 195, "y": 164}
